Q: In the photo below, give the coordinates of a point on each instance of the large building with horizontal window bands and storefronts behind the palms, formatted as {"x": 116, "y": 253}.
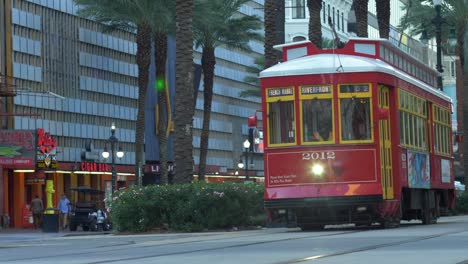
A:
{"x": 72, "y": 80}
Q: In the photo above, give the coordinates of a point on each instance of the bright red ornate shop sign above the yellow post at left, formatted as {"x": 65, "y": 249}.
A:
{"x": 46, "y": 150}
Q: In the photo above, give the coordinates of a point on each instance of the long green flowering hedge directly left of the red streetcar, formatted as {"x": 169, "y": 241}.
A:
{"x": 188, "y": 207}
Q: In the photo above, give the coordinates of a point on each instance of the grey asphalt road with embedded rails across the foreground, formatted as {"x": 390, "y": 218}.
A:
{"x": 445, "y": 242}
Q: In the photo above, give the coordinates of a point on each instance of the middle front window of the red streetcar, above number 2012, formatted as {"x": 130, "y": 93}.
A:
{"x": 317, "y": 120}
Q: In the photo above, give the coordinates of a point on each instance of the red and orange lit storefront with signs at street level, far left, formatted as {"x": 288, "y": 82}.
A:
{"x": 27, "y": 171}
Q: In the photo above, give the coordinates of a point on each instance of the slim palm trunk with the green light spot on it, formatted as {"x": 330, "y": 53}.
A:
{"x": 160, "y": 57}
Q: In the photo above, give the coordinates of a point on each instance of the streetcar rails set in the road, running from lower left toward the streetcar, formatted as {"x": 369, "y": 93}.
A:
{"x": 179, "y": 243}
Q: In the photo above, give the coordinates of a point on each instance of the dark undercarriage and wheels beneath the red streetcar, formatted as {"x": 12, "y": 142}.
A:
{"x": 315, "y": 213}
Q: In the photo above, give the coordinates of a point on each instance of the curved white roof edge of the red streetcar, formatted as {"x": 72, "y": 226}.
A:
{"x": 342, "y": 63}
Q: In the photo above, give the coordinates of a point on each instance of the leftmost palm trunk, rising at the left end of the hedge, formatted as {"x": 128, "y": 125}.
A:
{"x": 143, "y": 40}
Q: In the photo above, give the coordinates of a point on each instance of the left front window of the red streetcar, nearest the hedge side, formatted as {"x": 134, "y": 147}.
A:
{"x": 281, "y": 125}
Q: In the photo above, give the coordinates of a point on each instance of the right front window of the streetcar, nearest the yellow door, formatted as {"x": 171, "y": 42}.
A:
{"x": 355, "y": 119}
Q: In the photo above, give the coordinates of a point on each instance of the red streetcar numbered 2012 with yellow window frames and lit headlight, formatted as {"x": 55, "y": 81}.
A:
{"x": 355, "y": 135}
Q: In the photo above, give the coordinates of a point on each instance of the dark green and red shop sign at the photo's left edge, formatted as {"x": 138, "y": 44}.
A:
{"x": 17, "y": 149}
